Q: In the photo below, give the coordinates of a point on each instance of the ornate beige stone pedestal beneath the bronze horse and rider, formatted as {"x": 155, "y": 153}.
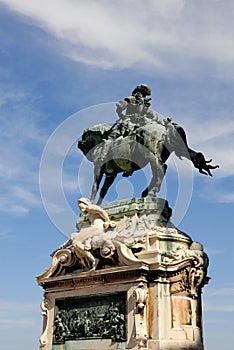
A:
{"x": 135, "y": 285}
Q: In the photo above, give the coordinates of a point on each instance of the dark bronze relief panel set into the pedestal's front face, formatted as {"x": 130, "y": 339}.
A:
{"x": 99, "y": 317}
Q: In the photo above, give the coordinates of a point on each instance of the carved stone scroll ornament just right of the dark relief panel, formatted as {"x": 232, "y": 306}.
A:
{"x": 141, "y": 296}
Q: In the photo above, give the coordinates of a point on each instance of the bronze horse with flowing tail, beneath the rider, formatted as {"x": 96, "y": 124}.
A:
{"x": 149, "y": 144}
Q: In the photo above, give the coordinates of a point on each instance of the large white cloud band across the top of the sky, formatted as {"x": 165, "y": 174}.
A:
{"x": 170, "y": 35}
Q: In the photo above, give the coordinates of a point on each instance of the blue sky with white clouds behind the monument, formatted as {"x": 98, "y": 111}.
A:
{"x": 63, "y": 66}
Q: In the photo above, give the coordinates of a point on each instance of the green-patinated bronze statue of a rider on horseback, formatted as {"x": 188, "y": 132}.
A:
{"x": 139, "y": 137}
